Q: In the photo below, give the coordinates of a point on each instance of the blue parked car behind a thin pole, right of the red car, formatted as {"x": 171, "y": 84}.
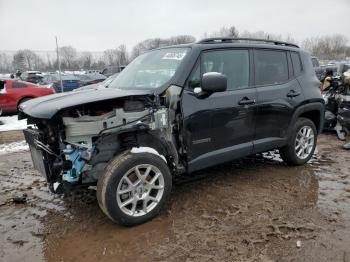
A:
{"x": 70, "y": 82}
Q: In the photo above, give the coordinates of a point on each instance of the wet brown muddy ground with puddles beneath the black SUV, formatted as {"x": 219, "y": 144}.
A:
{"x": 256, "y": 209}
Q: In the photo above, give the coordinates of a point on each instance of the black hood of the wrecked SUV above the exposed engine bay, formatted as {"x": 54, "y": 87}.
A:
{"x": 46, "y": 107}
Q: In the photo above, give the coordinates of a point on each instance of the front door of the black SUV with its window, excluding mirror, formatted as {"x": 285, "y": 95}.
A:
{"x": 220, "y": 127}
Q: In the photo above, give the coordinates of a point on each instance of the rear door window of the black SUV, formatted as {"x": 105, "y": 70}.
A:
{"x": 271, "y": 67}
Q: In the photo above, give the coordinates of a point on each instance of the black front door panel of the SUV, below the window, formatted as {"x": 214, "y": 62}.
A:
{"x": 217, "y": 128}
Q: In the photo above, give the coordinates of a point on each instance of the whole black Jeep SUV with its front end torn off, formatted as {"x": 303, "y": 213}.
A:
{"x": 176, "y": 110}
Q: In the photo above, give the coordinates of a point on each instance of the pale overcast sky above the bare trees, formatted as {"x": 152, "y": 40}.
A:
{"x": 102, "y": 24}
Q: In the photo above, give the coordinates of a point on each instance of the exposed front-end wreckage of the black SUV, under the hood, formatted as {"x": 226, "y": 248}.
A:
{"x": 75, "y": 145}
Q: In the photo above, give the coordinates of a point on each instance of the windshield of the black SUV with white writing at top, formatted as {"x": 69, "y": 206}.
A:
{"x": 150, "y": 70}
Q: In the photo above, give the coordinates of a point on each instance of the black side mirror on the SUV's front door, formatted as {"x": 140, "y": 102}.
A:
{"x": 214, "y": 82}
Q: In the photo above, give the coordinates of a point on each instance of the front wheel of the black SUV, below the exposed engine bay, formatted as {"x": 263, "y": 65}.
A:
{"x": 122, "y": 192}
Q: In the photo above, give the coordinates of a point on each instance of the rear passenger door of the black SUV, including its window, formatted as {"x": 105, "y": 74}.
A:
{"x": 279, "y": 93}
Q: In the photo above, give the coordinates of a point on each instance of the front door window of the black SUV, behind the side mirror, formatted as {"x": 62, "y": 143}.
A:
{"x": 232, "y": 63}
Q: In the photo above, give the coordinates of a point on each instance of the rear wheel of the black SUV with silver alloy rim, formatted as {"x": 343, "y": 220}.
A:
{"x": 298, "y": 153}
